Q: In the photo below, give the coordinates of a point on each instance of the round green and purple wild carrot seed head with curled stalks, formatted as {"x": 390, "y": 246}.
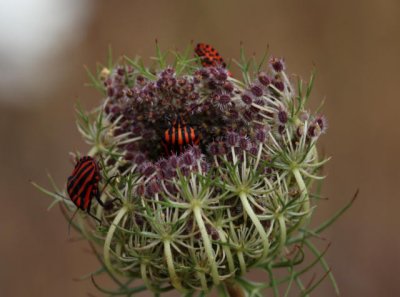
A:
{"x": 194, "y": 214}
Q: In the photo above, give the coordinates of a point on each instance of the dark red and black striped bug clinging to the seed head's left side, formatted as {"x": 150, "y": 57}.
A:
{"x": 83, "y": 185}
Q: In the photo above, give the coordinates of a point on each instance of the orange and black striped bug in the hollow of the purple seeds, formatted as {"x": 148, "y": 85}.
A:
{"x": 178, "y": 136}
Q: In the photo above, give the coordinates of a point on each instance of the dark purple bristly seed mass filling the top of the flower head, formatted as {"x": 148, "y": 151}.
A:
{"x": 228, "y": 118}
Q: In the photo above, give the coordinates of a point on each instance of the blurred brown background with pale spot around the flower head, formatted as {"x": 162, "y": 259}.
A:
{"x": 355, "y": 46}
